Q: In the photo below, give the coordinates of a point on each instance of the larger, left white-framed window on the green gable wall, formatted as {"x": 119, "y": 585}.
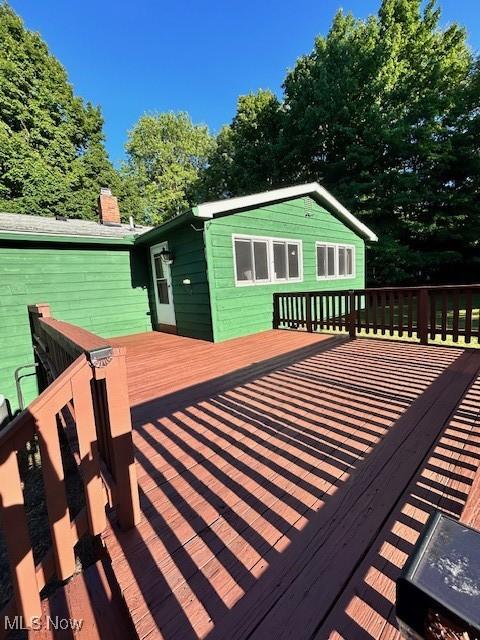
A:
{"x": 263, "y": 260}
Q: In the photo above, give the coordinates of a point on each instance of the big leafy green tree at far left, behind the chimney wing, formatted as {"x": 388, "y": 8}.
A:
{"x": 52, "y": 156}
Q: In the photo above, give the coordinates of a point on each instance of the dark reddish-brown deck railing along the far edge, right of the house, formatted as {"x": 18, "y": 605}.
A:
{"x": 436, "y": 313}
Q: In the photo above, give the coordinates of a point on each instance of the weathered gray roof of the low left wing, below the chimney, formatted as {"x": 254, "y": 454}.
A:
{"x": 21, "y": 223}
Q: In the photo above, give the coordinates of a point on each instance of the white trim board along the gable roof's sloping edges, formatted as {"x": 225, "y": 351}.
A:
{"x": 313, "y": 189}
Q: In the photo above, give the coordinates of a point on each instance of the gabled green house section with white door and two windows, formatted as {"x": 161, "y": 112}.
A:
{"x": 229, "y": 257}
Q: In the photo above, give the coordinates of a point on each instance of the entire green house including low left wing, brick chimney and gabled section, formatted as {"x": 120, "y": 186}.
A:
{"x": 208, "y": 273}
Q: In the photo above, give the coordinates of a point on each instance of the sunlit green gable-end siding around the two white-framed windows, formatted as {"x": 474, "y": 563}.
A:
{"x": 239, "y": 311}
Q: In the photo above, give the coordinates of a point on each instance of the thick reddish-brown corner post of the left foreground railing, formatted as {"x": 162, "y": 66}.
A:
{"x": 110, "y": 366}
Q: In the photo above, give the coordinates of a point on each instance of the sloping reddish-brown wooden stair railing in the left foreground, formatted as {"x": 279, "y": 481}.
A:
{"x": 84, "y": 395}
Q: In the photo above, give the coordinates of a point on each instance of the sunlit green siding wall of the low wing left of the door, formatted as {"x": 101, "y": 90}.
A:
{"x": 101, "y": 289}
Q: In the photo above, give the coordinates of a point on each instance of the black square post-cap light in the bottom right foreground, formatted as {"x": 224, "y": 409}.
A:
{"x": 438, "y": 593}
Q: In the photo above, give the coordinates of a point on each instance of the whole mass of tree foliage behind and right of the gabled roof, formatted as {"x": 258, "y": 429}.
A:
{"x": 385, "y": 113}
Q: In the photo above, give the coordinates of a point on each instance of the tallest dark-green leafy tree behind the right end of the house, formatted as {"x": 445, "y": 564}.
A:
{"x": 382, "y": 99}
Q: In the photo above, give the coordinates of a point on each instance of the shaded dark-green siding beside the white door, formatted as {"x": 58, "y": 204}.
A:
{"x": 192, "y": 302}
